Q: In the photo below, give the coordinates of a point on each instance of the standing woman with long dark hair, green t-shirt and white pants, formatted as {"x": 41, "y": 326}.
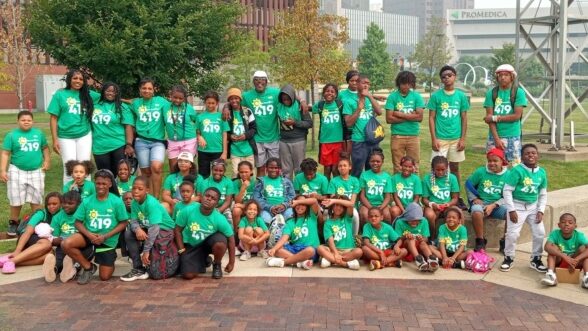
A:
{"x": 71, "y": 111}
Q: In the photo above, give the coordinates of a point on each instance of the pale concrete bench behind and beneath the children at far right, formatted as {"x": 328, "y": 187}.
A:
{"x": 571, "y": 200}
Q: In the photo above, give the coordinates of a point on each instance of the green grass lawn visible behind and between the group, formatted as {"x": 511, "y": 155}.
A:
{"x": 476, "y": 136}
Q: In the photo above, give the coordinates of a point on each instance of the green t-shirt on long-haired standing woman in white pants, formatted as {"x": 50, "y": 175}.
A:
{"x": 66, "y": 106}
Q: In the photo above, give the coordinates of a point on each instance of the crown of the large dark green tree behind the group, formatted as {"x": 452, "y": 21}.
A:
{"x": 171, "y": 41}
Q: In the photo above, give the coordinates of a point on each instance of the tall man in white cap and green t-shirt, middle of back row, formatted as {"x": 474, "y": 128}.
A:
{"x": 263, "y": 101}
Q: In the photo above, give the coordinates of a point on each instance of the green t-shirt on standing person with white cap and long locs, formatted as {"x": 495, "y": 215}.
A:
{"x": 503, "y": 107}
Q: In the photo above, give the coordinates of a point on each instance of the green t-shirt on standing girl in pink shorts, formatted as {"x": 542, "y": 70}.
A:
{"x": 180, "y": 121}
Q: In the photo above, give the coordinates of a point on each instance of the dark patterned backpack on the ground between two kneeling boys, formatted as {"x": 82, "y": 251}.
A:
{"x": 165, "y": 259}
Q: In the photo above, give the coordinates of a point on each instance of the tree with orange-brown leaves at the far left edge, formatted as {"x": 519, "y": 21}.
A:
{"x": 17, "y": 46}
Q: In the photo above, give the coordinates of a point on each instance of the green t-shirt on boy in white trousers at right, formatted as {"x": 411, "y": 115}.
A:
{"x": 527, "y": 184}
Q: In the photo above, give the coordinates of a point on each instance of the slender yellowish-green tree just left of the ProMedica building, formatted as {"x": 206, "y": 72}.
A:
{"x": 431, "y": 53}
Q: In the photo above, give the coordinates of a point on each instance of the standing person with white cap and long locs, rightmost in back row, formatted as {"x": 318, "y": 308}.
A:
{"x": 504, "y": 109}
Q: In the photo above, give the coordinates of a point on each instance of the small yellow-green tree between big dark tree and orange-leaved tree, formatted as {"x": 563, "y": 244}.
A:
{"x": 247, "y": 59}
